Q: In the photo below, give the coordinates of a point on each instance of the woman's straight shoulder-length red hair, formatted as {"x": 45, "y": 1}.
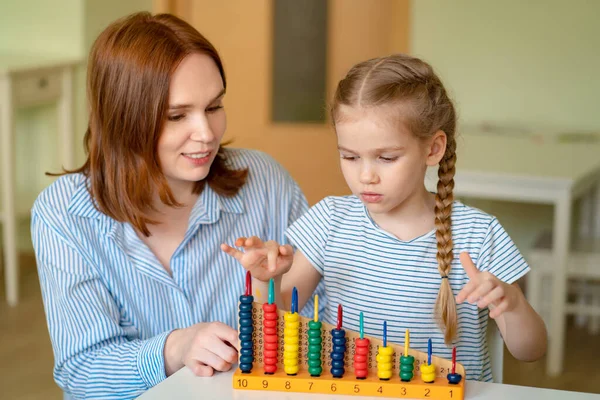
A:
{"x": 129, "y": 71}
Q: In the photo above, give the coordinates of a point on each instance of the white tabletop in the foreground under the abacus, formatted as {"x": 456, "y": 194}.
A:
{"x": 184, "y": 385}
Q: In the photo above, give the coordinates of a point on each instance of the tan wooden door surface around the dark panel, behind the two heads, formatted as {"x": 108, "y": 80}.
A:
{"x": 242, "y": 32}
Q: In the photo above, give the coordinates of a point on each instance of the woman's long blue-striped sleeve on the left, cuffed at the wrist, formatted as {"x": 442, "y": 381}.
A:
{"x": 93, "y": 358}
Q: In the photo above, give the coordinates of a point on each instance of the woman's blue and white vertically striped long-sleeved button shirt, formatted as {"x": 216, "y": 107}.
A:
{"x": 109, "y": 302}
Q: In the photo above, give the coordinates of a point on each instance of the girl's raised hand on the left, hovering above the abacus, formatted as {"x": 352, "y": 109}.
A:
{"x": 264, "y": 260}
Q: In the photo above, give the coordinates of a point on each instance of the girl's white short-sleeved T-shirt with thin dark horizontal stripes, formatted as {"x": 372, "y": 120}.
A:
{"x": 368, "y": 269}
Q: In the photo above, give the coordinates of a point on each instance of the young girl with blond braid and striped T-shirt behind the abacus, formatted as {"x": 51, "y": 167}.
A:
{"x": 391, "y": 249}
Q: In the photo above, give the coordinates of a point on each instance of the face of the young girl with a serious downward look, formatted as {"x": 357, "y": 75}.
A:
{"x": 383, "y": 163}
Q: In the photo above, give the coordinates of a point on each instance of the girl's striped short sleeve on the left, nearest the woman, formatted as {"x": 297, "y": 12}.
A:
{"x": 310, "y": 233}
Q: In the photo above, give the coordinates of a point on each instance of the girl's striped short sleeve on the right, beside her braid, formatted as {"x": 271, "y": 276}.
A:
{"x": 500, "y": 256}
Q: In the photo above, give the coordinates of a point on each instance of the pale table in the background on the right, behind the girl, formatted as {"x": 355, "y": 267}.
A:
{"x": 535, "y": 169}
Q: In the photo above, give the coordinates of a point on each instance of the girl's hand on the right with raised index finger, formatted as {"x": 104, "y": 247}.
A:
{"x": 486, "y": 290}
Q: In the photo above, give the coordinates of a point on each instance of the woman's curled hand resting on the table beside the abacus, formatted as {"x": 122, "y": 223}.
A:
{"x": 204, "y": 348}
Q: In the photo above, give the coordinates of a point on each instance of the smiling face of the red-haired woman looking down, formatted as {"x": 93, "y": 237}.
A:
{"x": 195, "y": 122}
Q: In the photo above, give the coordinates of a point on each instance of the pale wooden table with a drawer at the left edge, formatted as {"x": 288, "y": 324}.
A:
{"x": 25, "y": 81}
